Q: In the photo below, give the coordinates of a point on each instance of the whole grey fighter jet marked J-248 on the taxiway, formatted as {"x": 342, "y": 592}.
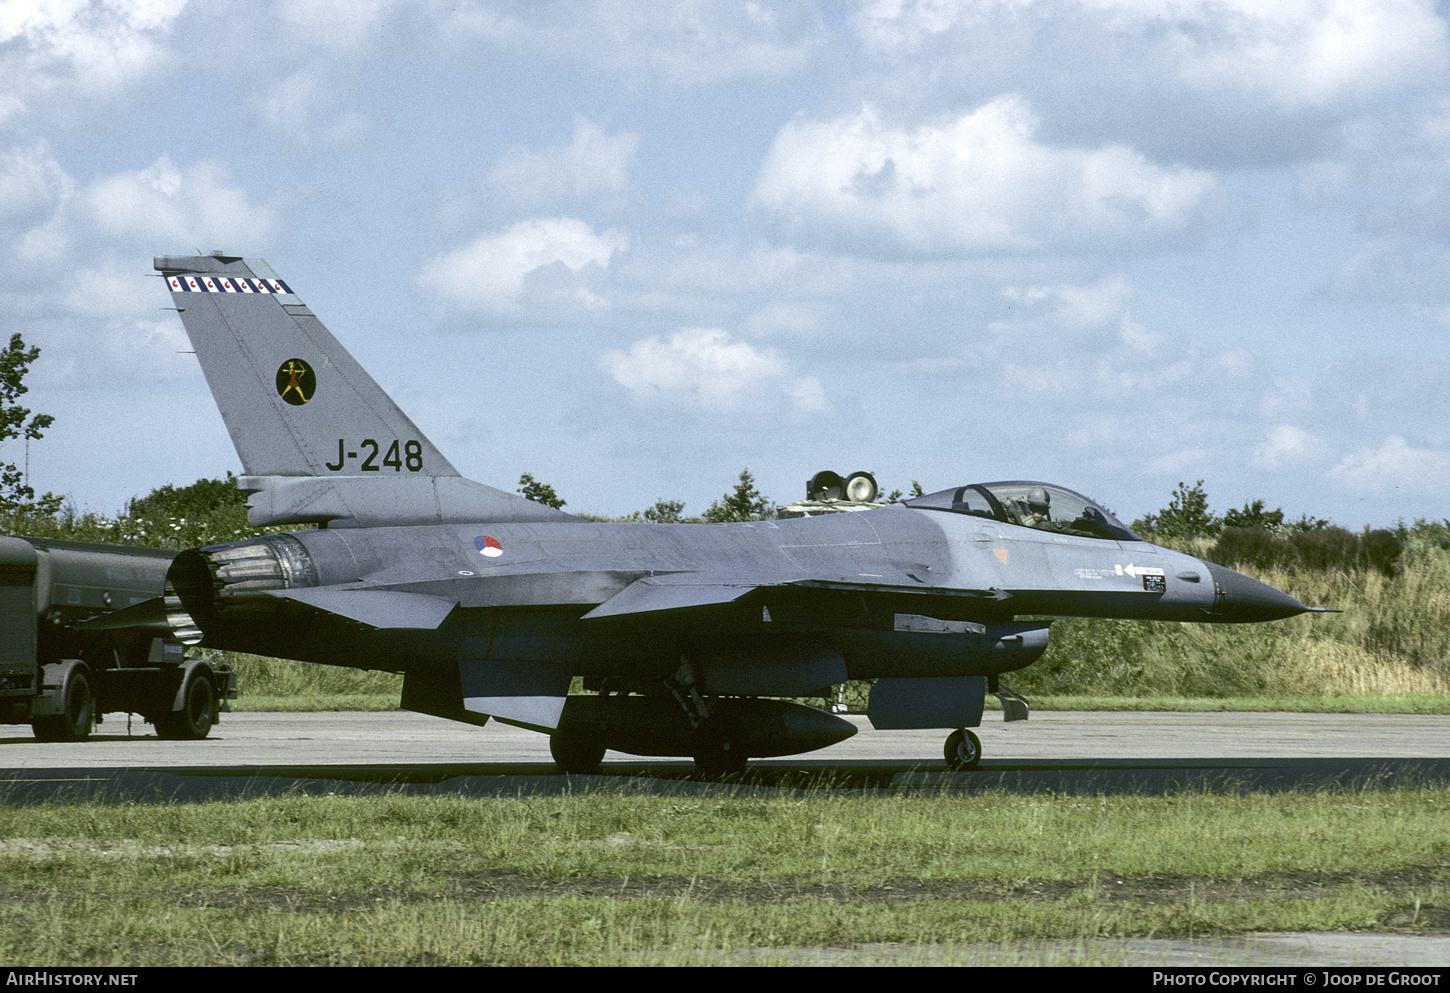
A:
{"x": 688, "y": 639}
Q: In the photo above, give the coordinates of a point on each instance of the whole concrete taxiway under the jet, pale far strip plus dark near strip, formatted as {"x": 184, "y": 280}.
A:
{"x": 1062, "y": 752}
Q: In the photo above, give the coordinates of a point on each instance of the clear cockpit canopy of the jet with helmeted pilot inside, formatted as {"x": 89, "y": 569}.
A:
{"x": 1029, "y": 505}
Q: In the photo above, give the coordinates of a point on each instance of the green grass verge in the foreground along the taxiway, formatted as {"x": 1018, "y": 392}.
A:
{"x": 611, "y": 878}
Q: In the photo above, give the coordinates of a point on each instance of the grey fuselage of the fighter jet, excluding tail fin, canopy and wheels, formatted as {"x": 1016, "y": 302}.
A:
{"x": 871, "y": 582}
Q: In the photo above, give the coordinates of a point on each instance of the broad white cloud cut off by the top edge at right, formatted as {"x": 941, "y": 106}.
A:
{"x": 1293, "y": 54}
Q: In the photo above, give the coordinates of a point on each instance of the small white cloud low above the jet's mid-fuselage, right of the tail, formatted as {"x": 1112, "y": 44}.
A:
{"x": 704, "y": 369}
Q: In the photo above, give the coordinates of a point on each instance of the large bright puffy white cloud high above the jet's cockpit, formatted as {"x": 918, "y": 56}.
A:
{"x": 978, "y": 183}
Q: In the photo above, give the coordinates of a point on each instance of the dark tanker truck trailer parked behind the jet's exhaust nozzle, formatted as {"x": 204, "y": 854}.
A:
{"x": 63, "y": 666}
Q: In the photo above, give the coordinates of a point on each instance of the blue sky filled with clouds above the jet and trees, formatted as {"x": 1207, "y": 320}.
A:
{"x": 634, "y": 247}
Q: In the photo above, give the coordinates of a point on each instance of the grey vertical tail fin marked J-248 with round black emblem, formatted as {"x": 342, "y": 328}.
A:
{"x": 318, "y": 437}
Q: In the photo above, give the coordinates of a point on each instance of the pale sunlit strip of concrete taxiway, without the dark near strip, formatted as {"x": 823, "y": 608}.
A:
{"x": 1051, "y": 736}
